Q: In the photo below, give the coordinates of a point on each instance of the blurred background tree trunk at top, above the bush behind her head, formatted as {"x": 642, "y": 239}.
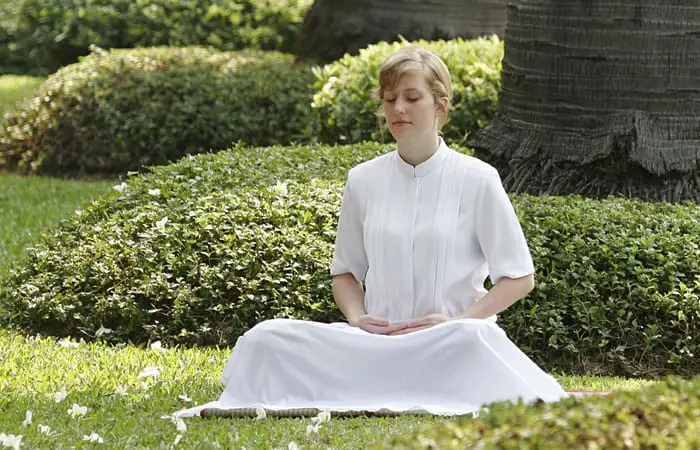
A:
{"x": 334, "y": 27}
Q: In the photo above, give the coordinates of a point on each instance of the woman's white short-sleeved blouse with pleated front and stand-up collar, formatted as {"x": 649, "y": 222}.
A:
{"x": 424, "y": 238}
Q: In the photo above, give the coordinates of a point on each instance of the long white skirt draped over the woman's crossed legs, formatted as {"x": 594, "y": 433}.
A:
{"x": 450, "y": 369}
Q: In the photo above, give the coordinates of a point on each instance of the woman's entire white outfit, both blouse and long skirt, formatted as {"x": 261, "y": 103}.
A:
{"x": 423, "y": 239}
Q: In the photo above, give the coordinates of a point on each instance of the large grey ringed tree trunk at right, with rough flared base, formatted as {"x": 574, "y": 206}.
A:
{"x": 599, "y": 97}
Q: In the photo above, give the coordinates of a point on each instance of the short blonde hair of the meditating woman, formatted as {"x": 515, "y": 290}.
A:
{"x": 415, "y": 59}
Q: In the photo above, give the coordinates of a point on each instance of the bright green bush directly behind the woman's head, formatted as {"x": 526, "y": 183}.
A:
{"x": 346, "y": 112}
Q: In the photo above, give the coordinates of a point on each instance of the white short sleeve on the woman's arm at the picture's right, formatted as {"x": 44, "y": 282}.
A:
{"x": 500, "y": 236}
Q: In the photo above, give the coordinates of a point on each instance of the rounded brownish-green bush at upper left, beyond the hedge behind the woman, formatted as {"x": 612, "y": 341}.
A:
{"x": 118, "y": 111}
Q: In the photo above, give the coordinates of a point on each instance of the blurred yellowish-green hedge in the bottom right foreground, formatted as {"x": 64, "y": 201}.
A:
{"x": 661, "y": 416}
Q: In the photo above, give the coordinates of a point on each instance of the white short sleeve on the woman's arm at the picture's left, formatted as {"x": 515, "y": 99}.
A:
{"x": 349, "y": 255}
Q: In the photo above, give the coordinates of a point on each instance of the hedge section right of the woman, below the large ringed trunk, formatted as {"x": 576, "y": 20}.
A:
{"x": 618, "y": 286}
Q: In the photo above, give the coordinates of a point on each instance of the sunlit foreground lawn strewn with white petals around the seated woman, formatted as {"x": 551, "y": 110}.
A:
{"x": 33, "y": 369}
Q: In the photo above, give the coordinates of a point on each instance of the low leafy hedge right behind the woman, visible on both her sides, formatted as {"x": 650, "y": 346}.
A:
{"x": 200, "y": 251}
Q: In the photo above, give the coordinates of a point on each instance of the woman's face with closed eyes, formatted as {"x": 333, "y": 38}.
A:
{"x": 410, "y": 109}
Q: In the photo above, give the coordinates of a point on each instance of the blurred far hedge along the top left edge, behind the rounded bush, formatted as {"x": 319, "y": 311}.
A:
{"x": 48, "y": 34}
